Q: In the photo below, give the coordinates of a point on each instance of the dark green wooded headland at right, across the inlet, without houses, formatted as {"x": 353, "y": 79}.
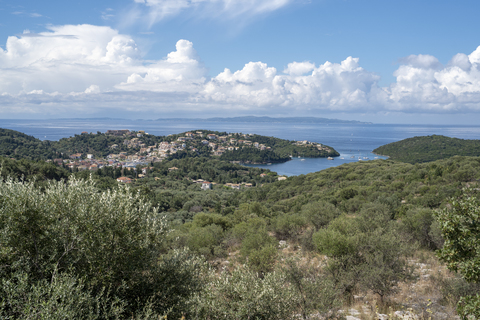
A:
{"x": 429, "y": 148}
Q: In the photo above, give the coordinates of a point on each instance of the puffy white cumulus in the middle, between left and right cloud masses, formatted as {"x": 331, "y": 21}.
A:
{"x": 331, "y": 86}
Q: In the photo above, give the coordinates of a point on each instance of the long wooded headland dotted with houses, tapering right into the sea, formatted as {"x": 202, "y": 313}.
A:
{"x": 248, "y": 148}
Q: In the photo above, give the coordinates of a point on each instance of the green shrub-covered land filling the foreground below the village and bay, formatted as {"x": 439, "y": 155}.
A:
{"x": 366, "y": 239}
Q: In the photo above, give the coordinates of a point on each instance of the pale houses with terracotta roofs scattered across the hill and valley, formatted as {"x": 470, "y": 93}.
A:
{"x": 135, "y": 158}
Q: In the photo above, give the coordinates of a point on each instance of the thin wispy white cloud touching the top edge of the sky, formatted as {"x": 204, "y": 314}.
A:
{"x": 161, "y": 9}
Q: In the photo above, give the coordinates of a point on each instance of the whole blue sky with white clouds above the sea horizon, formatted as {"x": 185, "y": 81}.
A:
{"x": 368, "y": 60}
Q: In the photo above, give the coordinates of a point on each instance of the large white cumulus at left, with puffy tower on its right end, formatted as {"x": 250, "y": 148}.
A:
{"x": 78, "y": 58}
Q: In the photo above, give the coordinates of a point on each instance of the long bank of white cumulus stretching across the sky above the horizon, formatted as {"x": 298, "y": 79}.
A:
{"x": 87, "y": 69}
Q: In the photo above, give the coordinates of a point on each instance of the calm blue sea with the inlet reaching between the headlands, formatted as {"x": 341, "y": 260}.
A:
{"x": 354, "y": 141}
